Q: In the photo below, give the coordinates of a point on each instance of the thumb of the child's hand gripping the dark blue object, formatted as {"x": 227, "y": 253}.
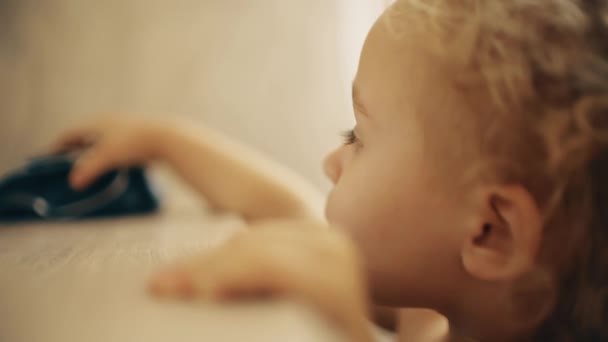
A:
{"x": 89, "y": 167}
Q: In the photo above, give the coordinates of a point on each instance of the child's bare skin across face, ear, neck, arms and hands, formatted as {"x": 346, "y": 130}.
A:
{"x": 400, "y": 235}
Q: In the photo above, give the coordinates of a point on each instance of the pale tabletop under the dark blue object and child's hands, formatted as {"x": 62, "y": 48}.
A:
{"x": 86, "y": 281}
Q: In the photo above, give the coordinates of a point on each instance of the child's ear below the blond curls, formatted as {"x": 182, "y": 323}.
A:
{"x": 504, "y": 241}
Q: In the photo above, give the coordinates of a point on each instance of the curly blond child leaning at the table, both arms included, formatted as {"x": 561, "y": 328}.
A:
{"x": 469, "y": 198}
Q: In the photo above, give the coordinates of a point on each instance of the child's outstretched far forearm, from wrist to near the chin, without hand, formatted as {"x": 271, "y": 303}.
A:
{"x": 236, "y": 178}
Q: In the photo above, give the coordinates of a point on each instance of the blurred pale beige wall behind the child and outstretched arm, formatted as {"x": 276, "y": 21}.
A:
{"x": 274, "y": 73}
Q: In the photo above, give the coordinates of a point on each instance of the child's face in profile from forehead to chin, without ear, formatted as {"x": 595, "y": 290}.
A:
{"x": 387, "y": 193}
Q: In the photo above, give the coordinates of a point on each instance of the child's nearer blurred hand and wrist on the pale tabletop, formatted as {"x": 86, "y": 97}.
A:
{"x": 300, "y": 259}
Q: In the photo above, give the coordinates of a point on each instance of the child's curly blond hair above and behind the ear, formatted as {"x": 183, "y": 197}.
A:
{"x": 544, "y": 66}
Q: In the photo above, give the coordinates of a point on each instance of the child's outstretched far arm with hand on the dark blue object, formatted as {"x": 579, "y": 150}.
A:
{"x": 231, "y": 176}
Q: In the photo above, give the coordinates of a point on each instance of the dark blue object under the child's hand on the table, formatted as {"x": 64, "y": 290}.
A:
{"x": 39, "y": 190}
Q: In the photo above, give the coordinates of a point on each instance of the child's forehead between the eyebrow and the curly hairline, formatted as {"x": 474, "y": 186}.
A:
{"x": 400, "y": 74}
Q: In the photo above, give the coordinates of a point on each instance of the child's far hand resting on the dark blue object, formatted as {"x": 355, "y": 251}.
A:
{"x": 111, "y": 143}
